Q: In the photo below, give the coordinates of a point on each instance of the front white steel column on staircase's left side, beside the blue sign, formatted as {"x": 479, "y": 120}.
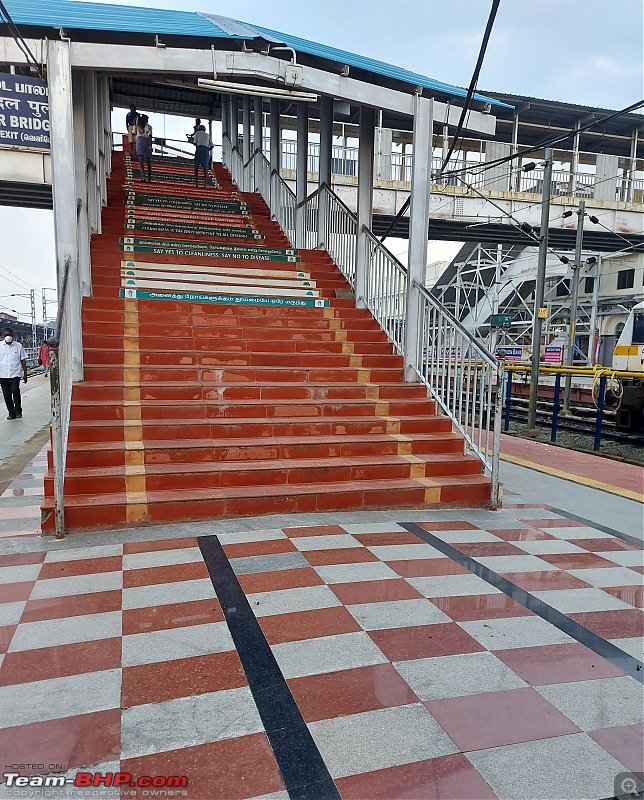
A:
{"x": 63, "y": 175}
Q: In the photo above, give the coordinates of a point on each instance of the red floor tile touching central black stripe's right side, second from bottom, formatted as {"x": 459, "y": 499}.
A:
{"x": 351, "y": 691}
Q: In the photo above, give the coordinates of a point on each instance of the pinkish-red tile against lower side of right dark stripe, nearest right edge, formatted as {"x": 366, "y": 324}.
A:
{"x": 557, "y": 663}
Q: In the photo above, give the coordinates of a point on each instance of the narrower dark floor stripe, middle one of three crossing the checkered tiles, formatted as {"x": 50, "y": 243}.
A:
{"x": 597, "y": 644}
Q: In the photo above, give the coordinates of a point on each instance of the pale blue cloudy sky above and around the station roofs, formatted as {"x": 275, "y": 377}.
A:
{"x": 587, "y": 52}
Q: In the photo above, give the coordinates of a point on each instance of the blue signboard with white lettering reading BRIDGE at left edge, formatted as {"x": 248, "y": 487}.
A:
{"x": 24, "y": 112}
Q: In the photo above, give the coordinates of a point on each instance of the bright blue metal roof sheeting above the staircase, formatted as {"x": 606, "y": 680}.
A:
{"x": 71, "y": 15}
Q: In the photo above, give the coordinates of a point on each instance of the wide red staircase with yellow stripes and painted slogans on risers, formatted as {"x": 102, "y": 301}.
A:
{"x": 228, "y": 374}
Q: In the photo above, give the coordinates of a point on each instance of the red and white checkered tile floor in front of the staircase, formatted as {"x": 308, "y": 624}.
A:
{"x": 416, "y": 678}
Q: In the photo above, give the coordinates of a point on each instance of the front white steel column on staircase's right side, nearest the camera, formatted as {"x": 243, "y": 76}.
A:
{"x": 421, "y": 163}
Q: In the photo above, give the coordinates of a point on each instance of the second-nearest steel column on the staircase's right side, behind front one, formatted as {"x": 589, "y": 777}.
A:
{"x": 366, "y": 151}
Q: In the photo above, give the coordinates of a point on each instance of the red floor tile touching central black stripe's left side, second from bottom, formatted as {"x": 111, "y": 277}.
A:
{"x": 181, "y": 677}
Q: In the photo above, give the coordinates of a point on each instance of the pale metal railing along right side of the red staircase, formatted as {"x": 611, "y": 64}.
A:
{"x": 463, "y": 377}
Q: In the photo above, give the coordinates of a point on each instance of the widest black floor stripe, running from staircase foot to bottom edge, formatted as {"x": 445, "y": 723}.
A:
{"x": 304, "y": 772}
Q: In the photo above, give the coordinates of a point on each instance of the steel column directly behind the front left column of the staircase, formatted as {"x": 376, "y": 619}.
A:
{"x": 81, "y": 172}
